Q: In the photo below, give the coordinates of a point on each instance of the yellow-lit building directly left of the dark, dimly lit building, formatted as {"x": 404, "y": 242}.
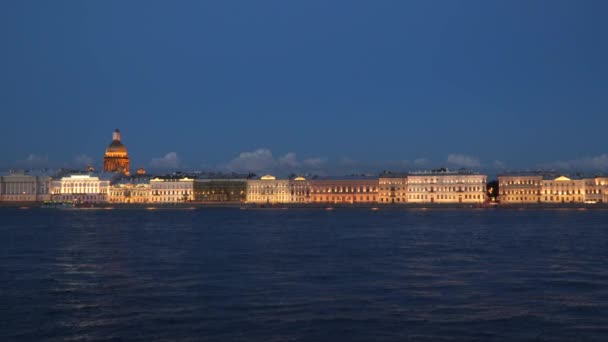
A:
{"x": 172, "y": 189}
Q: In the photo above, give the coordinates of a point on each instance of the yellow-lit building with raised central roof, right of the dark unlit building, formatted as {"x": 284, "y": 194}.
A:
{"x": 268, "y": 189}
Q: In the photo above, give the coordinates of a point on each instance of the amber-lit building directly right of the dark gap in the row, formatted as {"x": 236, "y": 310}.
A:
{"x": 520, "y": 188}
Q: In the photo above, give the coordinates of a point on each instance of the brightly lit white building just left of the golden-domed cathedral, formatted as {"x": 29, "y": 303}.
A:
{"x": 80, "y": 189}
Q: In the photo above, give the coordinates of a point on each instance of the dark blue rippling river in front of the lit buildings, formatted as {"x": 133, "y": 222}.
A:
{"x": 303, "y": 275}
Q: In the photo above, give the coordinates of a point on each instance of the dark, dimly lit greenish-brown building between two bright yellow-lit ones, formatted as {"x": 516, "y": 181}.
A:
{"x": 220, "y": 190}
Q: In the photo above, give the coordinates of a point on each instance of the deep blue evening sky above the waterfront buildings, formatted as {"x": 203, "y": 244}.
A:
{"x": 521, "y": 82}
